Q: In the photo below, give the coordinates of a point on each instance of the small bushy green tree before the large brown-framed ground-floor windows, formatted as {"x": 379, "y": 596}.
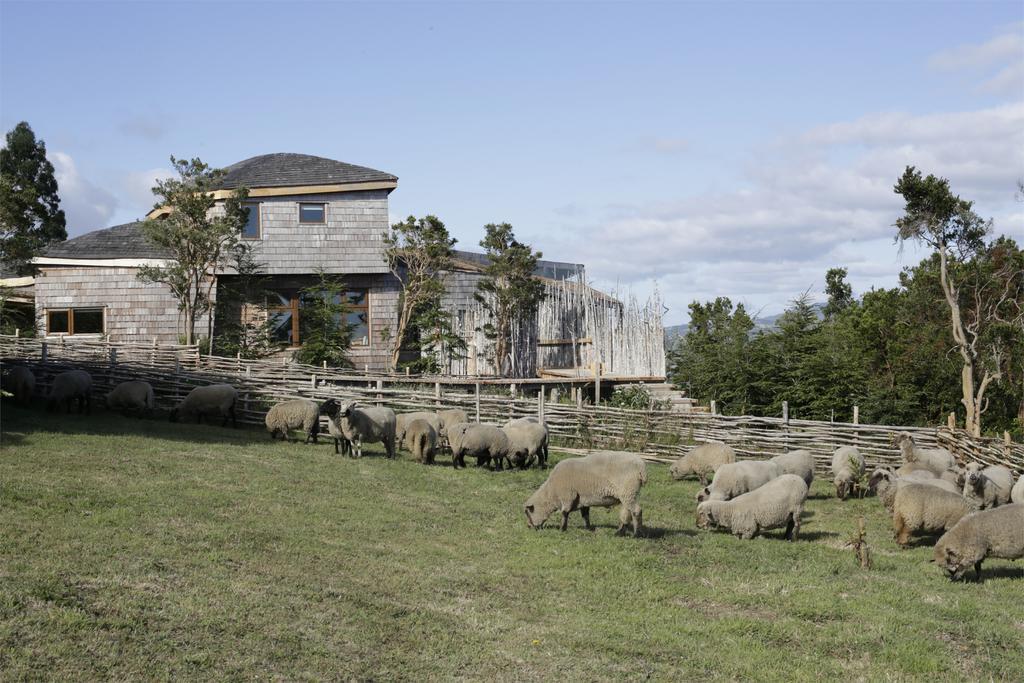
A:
{"x": 325, "y": 330}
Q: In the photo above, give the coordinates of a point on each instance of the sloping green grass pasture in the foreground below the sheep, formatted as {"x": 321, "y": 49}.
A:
{"x": 137, "y": 549}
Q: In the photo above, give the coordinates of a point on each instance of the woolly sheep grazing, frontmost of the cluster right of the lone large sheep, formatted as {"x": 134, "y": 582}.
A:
{"x": 779, "y": 503}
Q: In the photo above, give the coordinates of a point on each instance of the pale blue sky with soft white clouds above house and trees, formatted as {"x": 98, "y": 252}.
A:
{"x": 706, "y": 150}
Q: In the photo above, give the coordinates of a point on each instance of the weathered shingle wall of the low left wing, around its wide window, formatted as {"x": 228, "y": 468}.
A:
{"x": 134, "y": 312}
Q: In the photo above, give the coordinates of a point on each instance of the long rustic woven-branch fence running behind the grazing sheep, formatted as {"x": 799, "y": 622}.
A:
{"x": 174, "y": 371}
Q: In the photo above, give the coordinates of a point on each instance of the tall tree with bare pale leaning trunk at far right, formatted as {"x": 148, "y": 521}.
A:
{"x": 949, "y": 225}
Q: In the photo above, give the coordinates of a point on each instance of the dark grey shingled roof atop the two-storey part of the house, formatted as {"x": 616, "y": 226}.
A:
{"x": 285, "y": 170}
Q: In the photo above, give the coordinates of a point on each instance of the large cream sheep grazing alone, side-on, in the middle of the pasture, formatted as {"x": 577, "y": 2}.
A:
{"x": 601, "y": 480}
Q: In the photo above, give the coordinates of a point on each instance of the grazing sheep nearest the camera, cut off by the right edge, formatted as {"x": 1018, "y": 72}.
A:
{"x": 998, "y": 533}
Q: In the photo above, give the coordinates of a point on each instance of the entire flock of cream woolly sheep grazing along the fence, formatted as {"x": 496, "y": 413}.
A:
{"x": 978, "y": 509}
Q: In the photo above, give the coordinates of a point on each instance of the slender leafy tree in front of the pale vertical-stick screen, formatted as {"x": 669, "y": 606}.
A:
{"x": 508, "y": 291}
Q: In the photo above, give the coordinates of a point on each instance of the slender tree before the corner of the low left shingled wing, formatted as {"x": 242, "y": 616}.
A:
{"x": 198, "y": 238}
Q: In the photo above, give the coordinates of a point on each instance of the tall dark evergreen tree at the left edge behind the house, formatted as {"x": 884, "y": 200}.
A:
{"x": 30, "y": 214}
